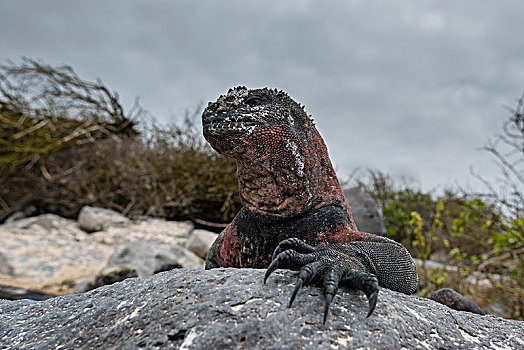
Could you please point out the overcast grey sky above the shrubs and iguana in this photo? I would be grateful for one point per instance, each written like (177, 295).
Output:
(412, 88)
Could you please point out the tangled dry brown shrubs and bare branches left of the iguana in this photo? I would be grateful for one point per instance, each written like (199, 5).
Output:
(66, 142)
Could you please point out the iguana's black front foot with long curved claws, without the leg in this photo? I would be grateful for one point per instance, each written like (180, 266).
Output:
(328, 264)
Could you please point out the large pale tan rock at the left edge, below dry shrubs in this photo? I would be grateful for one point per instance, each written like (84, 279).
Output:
(48, 253)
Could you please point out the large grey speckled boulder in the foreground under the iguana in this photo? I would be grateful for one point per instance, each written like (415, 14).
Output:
(232, 308)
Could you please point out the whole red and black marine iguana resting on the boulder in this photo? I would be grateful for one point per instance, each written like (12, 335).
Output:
(294, 213)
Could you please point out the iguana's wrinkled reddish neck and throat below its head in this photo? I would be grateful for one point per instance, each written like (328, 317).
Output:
(289, 178)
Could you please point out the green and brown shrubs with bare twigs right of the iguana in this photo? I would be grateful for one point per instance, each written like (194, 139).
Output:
(477, 237)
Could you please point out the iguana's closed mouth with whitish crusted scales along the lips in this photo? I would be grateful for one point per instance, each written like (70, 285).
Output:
(223, 123)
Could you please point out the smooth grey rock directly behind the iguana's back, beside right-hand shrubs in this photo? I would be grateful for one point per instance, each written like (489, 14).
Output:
(365, 211)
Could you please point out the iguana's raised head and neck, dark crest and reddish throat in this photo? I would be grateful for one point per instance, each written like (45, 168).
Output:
(282, 162)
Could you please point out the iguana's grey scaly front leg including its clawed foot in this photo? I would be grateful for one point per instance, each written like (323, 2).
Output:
(362, 265)
